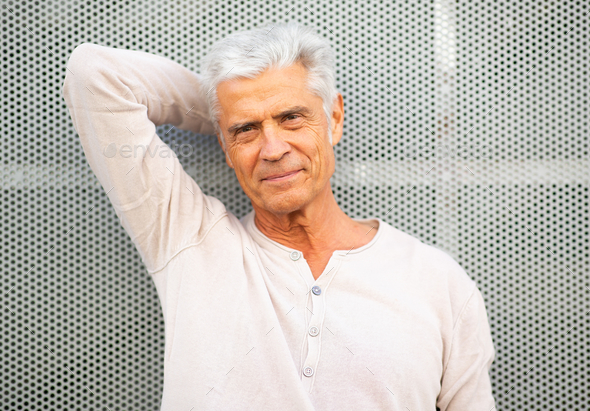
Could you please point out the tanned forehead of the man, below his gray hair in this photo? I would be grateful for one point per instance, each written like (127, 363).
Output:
(273, 90)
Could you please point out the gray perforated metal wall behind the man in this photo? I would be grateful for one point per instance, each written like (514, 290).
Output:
(466, 125)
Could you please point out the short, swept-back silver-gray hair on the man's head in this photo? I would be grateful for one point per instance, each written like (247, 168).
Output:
(246, 54)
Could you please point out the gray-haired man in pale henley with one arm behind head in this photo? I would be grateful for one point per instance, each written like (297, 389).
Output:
(296, 306)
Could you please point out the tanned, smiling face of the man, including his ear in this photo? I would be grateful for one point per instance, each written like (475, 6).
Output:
(277, 138)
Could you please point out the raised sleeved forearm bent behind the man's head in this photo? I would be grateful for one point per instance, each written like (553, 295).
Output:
(102, 79)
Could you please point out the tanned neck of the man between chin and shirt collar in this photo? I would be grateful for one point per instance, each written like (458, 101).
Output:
(319, 227)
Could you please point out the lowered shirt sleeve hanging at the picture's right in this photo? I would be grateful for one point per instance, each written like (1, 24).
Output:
(466, 382)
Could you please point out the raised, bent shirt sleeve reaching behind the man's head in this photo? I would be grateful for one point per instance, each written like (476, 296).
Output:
(116, 98)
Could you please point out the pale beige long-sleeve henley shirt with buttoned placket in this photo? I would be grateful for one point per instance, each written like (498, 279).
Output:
(393, 325)
